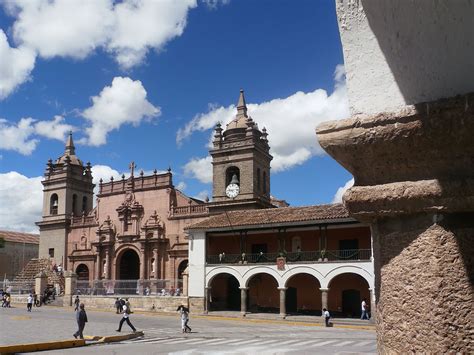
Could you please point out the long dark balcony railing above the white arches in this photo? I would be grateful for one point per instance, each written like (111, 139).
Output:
(293, 257)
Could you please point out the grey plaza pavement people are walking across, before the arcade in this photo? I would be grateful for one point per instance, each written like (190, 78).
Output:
(210, 335)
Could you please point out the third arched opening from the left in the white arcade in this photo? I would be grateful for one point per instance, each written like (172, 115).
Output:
(303, 295)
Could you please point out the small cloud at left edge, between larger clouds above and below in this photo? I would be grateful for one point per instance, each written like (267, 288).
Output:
(18, 137)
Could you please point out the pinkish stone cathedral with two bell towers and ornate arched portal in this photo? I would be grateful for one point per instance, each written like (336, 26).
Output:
(136, 230)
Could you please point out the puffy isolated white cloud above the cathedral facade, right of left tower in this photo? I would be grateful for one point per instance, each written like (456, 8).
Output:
(121, 103)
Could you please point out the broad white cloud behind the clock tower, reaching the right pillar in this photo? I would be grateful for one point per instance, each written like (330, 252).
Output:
(290, 122)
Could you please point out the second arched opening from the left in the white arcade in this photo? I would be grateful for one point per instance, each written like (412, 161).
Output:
(263, 294)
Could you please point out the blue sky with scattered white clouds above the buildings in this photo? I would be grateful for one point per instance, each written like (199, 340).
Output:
(146, 81)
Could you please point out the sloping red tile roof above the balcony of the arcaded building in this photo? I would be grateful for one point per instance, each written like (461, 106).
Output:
(269, 216)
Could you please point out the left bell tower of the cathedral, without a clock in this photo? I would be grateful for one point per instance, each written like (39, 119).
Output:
(67, 192)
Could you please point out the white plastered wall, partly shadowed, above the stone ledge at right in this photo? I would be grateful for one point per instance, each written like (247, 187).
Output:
(399, 52)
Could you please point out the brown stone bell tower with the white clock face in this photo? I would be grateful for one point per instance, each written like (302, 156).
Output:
(241, 164)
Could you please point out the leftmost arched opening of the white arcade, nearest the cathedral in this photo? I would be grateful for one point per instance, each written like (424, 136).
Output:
(225, 293)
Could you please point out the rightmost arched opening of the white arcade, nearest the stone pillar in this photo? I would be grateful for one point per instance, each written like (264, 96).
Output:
(346, 292)
